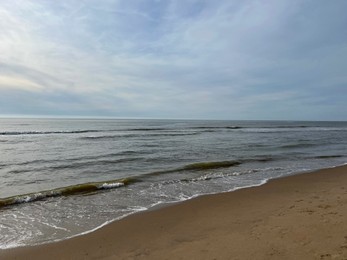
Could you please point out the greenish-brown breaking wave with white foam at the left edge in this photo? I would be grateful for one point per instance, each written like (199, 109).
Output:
(77, 189)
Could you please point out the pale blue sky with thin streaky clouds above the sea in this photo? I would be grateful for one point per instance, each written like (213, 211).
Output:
(196, 59)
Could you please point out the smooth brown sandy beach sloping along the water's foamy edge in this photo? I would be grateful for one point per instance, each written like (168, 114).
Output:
(297, 217)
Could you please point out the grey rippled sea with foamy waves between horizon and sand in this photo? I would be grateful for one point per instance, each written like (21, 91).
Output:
(60, 178)
